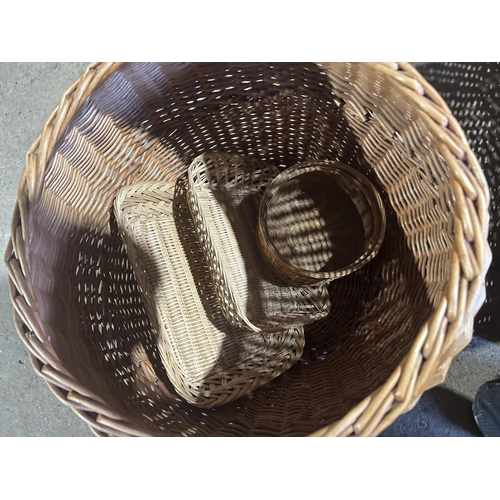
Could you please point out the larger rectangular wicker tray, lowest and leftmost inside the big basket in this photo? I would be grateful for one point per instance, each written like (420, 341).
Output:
(208, 361)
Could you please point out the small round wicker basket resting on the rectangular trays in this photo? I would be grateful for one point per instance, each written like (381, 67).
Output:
(319, 221)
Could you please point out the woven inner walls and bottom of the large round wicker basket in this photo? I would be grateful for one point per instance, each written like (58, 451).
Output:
(147, 122)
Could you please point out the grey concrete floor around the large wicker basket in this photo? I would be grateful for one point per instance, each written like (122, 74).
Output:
(28, 93)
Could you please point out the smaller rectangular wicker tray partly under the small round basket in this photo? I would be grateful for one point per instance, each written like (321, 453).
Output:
(224, 192)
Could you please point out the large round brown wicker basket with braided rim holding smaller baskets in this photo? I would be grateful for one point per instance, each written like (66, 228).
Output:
(395, 324)
